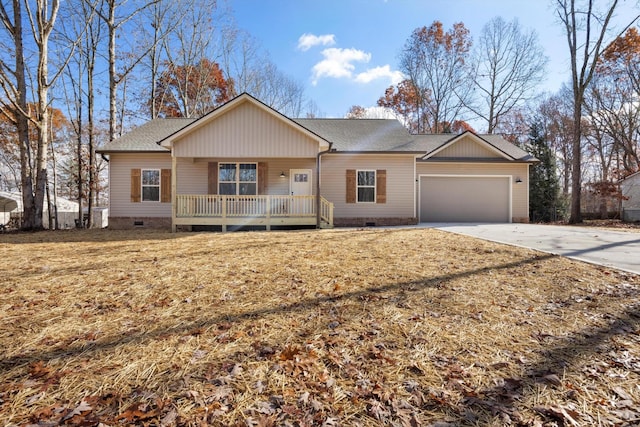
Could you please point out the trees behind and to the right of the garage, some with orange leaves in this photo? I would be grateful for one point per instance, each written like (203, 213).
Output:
(592, 125)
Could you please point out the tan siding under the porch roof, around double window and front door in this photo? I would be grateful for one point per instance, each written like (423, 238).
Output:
(193, 176)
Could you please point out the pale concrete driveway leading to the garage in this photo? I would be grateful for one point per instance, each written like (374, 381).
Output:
(616, 249)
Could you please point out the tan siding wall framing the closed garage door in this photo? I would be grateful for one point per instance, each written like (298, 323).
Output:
(520, 194)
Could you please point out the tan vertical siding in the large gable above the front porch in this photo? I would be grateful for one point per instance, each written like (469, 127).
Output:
(246, 129)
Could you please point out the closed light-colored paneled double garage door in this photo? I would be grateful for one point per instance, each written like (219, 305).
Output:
(465, 199)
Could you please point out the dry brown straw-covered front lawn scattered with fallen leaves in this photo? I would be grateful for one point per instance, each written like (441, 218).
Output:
(341, 327)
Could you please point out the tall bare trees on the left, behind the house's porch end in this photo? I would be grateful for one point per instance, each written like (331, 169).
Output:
(78, 73)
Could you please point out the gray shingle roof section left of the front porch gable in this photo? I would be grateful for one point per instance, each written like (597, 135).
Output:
(147, 136)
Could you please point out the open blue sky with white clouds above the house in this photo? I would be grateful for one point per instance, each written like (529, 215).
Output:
(346, 51)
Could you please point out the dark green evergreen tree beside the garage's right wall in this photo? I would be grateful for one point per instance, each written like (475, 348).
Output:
(545, 201)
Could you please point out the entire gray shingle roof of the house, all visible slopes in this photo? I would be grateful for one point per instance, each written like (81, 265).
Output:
(363, 135)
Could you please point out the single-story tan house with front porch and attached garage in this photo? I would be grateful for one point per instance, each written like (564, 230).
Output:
(246, 164)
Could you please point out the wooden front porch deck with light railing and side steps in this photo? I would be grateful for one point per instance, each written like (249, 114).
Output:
(267, 210)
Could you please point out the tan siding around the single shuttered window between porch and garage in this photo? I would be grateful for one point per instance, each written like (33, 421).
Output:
(400, 184)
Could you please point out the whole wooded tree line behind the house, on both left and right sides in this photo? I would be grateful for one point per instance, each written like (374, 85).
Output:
(60, 61)
